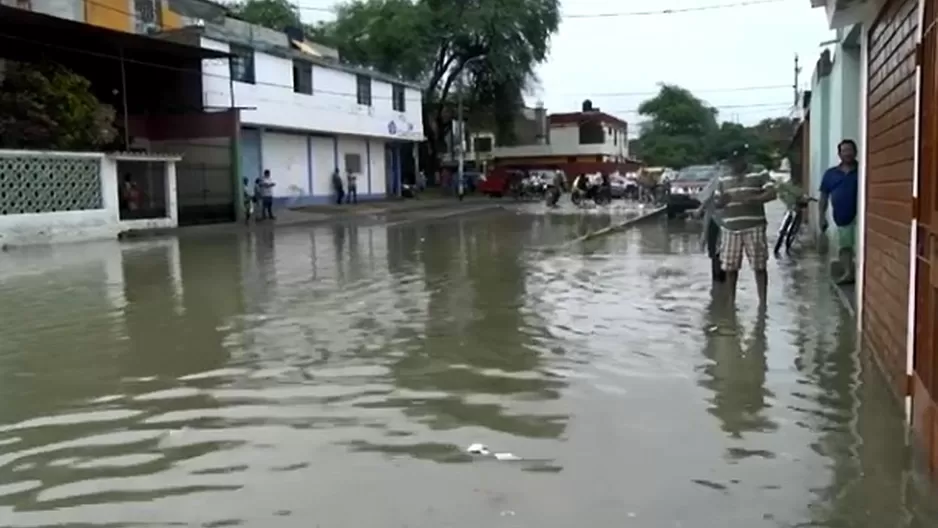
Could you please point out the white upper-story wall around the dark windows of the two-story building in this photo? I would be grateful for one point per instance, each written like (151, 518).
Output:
(332, 108)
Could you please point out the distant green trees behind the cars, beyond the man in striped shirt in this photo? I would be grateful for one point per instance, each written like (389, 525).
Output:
(681, 130)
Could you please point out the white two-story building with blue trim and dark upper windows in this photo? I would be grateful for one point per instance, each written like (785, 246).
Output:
(305, 115)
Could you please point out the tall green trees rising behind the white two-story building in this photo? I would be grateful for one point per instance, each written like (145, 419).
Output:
(491, 45)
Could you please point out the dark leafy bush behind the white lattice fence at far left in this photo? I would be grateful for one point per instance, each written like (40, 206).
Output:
(49, 107)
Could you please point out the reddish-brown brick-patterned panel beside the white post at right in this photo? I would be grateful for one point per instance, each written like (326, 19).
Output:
(888, 215)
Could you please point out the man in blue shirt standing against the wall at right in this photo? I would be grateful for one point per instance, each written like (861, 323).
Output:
(840, 189)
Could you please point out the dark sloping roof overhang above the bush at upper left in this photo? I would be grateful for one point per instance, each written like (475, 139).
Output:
(19, 27)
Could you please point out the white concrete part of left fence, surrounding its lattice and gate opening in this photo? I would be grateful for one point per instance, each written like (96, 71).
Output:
(81, 225)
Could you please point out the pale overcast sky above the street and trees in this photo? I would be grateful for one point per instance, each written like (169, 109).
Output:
(738, 57)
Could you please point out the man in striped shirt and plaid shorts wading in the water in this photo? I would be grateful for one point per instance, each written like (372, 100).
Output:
(742, 197)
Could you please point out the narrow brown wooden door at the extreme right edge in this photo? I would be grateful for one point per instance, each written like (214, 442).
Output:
(925, 378)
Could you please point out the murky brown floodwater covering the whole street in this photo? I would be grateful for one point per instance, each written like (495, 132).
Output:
(334, 377)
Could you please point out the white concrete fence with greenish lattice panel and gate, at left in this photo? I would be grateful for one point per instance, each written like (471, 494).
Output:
(48, 197)
